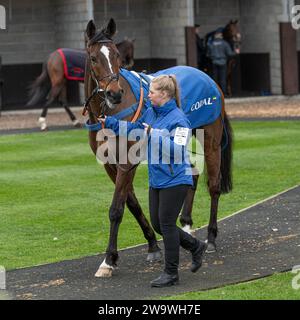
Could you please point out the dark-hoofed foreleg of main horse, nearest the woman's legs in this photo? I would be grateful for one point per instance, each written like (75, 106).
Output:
(135, 208)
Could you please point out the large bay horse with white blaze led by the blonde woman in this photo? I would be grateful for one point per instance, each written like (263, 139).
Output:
(108, 92)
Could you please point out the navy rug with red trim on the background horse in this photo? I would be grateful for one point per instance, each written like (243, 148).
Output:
(74, 63)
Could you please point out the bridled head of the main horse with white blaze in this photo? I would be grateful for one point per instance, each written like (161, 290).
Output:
(105, 62)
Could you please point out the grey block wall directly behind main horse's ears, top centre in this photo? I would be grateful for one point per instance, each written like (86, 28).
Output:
(157, 26)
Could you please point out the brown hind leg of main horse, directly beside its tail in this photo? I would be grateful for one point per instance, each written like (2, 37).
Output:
(212, 147)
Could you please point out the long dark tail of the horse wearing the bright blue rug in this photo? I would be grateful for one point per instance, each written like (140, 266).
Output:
(226, 156)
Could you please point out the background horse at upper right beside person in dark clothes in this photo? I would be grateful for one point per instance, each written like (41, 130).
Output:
(231, 34)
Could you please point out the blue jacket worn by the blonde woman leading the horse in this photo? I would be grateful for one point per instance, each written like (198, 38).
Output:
(162, 174)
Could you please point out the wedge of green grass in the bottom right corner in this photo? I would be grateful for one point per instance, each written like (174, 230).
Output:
(275, 287)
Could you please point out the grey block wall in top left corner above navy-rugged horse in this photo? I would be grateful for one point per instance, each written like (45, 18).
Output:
(30, 32)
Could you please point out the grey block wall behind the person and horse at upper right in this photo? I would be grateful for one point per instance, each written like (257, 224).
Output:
(259, 24)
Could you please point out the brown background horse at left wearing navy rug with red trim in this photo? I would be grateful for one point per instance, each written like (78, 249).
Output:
(52, 82)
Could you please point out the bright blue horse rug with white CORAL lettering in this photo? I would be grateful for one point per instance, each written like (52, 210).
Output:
(200, 97)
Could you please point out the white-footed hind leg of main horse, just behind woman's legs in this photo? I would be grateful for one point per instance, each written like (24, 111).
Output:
(186, 214)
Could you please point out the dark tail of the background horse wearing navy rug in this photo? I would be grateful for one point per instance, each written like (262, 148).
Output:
(39, 89)
